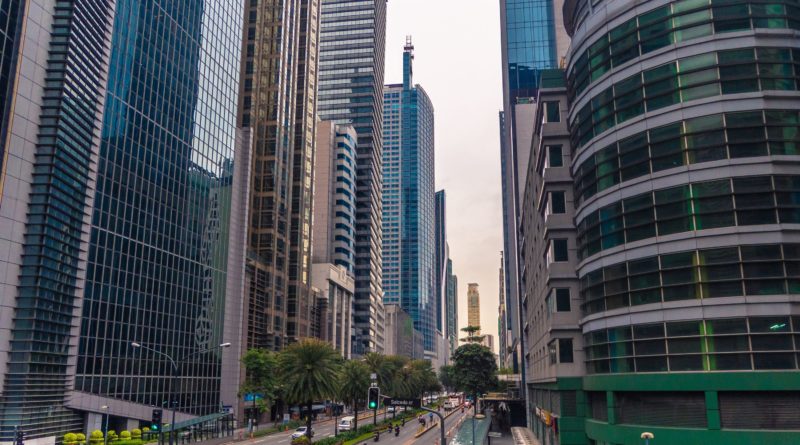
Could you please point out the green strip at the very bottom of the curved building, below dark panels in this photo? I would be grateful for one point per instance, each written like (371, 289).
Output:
(631, 435)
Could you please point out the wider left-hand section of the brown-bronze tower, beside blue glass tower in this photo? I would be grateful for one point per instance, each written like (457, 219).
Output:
(267, 106)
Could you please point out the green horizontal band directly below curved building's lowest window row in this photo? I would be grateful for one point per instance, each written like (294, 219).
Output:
(696, 381)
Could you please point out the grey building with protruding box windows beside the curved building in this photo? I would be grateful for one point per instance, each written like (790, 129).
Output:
(553, 355)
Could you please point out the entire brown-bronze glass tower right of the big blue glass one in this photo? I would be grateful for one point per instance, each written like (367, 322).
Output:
(278, 96)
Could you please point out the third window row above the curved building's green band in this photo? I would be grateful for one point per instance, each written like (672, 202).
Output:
(742, 201)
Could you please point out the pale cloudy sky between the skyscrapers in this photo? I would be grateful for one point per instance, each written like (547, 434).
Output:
(457, 62)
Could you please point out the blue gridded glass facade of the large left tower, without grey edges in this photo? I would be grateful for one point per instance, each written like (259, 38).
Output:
(159, 239)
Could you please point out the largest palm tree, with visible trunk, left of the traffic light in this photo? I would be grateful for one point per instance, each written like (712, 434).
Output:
(310, 371)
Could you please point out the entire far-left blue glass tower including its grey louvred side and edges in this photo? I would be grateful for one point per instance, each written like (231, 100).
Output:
(126, 190)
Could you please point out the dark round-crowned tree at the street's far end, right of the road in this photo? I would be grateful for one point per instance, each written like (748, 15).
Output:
(475, 369)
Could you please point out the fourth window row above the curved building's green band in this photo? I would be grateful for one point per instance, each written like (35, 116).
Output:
(702, 139)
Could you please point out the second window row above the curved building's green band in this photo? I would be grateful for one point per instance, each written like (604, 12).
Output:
(768, 269)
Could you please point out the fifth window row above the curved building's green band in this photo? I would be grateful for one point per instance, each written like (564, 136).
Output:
(690, 78)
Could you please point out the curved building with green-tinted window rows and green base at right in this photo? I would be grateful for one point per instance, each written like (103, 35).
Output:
(684, 122)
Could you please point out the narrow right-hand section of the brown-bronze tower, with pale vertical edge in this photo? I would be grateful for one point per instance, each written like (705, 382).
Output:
(300, 301)
